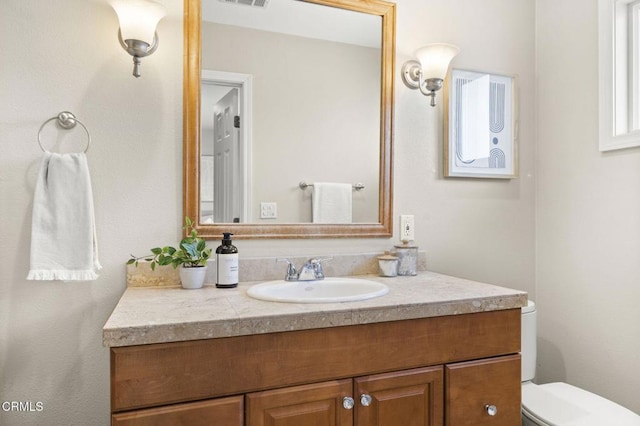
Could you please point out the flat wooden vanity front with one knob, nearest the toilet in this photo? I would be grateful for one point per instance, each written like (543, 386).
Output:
(483, 392)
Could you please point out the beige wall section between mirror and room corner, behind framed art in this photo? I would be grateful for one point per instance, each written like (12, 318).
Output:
(475, 228)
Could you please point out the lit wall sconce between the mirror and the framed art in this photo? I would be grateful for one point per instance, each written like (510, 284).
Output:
(429, 71)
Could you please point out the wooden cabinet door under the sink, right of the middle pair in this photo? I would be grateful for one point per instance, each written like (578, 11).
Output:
(407, 398)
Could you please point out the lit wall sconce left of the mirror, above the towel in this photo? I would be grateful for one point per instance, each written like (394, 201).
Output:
(138, 22)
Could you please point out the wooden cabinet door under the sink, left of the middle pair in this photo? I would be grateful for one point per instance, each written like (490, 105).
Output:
(318, 404)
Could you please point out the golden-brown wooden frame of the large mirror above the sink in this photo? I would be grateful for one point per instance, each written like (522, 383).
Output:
(191, 140)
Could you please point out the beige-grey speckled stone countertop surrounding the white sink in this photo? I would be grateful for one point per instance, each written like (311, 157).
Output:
(161, 315)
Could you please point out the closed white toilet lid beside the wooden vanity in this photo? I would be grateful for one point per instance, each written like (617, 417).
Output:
(561, 404)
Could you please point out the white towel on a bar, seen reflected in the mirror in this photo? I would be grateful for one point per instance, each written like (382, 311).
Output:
(331, 202)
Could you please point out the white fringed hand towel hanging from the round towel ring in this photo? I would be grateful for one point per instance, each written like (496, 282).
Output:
(63, 237)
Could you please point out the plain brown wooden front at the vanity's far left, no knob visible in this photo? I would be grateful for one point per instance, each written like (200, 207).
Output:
(221, 411)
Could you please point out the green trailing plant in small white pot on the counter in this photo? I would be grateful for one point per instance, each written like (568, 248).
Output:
(191, 255)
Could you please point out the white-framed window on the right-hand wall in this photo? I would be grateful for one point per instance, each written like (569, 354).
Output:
(619, 74)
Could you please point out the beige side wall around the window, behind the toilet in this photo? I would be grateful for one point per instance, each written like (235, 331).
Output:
(588, 218)
